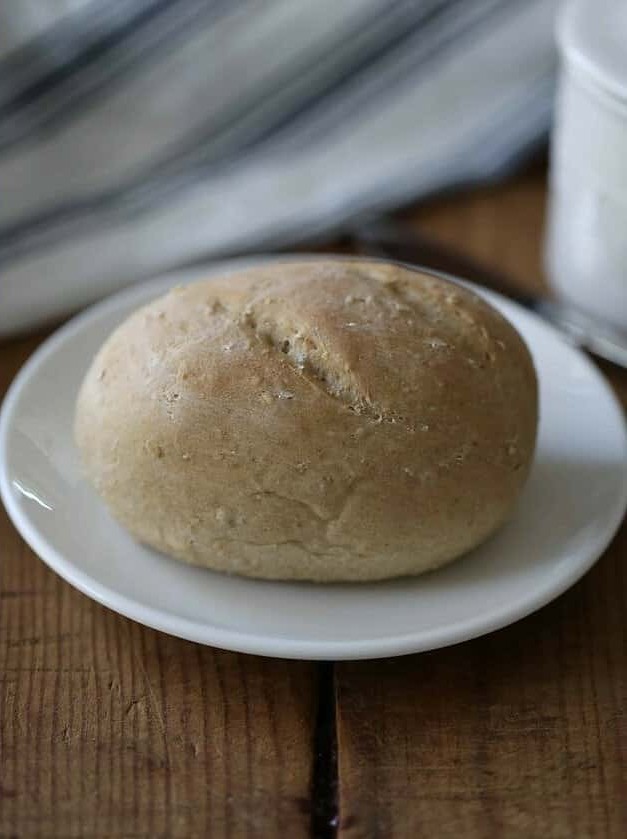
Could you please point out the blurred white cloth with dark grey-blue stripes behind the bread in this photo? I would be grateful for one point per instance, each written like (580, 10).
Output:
(140, 135)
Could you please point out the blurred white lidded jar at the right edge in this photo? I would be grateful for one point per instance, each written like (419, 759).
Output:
(586, 242)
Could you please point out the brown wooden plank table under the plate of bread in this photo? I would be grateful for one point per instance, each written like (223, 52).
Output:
(109, 729)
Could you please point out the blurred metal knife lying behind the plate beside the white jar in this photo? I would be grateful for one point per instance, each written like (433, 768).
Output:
(395, 240)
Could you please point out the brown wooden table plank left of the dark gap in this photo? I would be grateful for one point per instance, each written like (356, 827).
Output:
(110, 729)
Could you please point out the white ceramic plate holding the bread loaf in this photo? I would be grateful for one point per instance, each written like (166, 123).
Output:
(571, 507)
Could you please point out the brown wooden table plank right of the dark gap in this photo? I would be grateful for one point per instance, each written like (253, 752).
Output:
(522, 733)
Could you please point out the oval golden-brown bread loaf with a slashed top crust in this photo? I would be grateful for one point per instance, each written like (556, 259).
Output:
(323, 420)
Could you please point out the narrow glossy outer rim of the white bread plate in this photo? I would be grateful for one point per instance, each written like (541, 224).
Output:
(238, 641)
